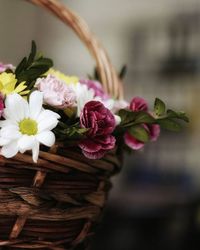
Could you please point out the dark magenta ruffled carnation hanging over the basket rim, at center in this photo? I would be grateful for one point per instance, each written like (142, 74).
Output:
(100, 123)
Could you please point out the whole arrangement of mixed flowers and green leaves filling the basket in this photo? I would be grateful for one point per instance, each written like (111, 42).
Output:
(39, 105)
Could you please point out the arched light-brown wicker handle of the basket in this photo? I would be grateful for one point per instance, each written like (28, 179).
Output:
(108, 75)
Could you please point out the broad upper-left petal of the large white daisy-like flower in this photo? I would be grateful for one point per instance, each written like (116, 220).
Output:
(16, 107)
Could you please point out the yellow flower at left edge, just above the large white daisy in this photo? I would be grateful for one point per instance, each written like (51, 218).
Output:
(8, 83)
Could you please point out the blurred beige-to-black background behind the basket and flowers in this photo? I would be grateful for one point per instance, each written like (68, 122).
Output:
(155, 201)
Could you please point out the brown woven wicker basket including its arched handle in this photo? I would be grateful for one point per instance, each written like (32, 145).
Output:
(56, 203)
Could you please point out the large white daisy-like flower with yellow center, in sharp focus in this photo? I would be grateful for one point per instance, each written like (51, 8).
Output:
(26, 125)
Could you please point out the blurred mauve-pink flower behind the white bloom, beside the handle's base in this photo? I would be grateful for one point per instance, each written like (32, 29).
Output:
(97, 87)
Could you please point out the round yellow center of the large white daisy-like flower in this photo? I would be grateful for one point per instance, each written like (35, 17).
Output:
(28, 127)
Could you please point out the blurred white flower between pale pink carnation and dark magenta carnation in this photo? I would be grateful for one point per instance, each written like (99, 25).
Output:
(83, 95)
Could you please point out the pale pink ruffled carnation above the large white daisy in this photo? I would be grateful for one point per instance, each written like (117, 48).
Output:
(56, 92)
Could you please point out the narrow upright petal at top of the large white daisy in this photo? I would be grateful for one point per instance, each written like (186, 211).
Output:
(35, 104)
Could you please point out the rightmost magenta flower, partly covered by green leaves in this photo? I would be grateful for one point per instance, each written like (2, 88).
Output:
(139, 104)
